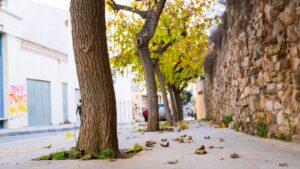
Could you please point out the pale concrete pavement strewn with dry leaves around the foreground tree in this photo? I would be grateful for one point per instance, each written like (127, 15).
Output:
(255, 152)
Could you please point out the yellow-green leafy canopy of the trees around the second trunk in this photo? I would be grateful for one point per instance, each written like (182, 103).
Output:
(179, 43)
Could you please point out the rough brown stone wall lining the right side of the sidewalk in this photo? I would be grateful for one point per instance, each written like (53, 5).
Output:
(256, 72)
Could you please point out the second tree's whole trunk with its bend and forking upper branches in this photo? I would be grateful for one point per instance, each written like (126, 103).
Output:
(143, 37)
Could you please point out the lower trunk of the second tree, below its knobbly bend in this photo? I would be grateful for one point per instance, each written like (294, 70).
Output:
(152, 101)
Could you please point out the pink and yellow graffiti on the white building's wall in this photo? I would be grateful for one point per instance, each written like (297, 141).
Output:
(17, 101)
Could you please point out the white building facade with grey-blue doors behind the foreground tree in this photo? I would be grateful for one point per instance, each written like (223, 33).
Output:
(37, 69)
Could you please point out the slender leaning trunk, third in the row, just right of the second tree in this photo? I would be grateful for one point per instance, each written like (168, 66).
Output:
(164, 93)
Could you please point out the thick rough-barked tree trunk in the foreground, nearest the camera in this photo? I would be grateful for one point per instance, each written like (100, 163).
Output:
(99, 124)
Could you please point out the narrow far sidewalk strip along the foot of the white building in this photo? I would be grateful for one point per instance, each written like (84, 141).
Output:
(40, 129)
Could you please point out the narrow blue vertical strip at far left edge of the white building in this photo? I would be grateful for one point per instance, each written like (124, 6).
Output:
(1, 83)
